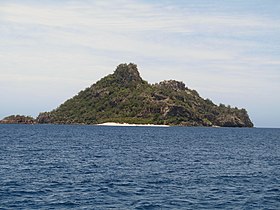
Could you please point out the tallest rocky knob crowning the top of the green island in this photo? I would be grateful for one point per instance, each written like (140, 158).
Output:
(127, 73)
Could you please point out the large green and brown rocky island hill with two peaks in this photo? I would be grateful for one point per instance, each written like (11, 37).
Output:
(124, 97)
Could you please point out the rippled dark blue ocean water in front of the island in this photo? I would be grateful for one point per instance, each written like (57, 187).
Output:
(99, 167)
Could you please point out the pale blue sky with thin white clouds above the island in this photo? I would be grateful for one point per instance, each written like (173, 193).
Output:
(229, 51)
